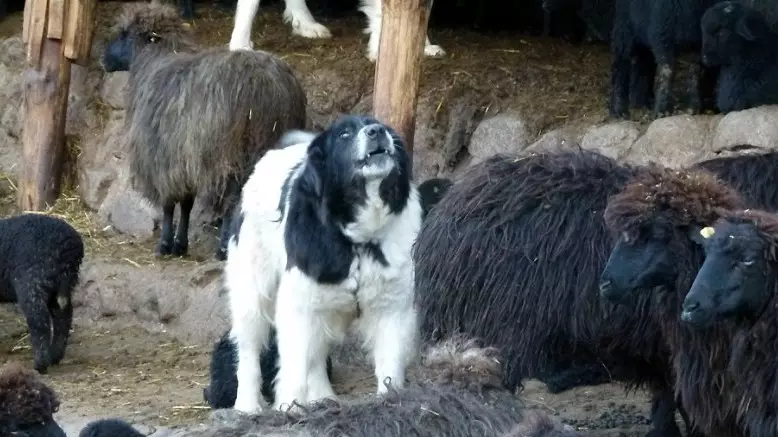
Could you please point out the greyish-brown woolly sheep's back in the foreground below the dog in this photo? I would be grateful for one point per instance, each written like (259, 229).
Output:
(458, 394)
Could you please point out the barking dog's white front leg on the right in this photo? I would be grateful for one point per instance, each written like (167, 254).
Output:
(394, 343)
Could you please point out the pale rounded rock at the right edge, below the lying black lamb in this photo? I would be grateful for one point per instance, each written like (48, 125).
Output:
(756, 127)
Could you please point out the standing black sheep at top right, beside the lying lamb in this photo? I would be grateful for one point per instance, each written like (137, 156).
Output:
(665, 28)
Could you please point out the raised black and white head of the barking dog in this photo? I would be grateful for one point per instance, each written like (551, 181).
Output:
(356, 150)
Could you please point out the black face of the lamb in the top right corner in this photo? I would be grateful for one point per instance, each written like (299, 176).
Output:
(729, 29)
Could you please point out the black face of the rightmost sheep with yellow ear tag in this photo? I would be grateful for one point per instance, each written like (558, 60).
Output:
(733, 280)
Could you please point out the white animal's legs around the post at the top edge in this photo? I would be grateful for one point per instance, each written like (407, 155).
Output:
(303, 24)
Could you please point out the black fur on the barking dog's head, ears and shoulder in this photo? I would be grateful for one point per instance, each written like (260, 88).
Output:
(326, 197)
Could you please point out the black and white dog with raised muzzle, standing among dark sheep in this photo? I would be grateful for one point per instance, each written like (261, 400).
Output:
(327, 222)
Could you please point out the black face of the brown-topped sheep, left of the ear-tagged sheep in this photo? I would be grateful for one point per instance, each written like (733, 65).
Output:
(642, 259)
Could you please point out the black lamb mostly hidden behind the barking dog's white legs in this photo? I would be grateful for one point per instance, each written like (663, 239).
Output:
(223, 388)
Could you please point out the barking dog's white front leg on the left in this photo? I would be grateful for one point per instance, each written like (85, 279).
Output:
(296, 337)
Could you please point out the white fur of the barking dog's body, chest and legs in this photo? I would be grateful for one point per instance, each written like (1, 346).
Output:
(311, 317)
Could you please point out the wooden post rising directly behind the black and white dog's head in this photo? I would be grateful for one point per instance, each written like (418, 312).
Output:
(398, 67)
